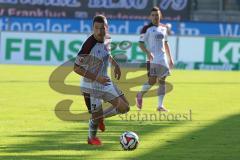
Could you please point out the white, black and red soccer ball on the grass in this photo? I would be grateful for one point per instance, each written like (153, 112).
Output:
(129, 140)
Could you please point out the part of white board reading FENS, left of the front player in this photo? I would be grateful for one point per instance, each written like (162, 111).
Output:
(39, 48)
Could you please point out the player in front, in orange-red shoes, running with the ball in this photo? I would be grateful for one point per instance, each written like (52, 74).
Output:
(92, 63)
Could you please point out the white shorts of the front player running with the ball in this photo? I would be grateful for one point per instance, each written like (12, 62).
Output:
(94, 96)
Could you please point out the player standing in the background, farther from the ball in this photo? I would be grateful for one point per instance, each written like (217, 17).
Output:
(153, 41)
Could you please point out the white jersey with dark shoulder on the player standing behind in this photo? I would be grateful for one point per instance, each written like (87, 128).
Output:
(154, 38)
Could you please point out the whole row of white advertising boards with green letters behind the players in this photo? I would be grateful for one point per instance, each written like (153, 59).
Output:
(56, 48)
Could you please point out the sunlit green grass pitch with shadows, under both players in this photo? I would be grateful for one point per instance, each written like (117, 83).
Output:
(30, 130)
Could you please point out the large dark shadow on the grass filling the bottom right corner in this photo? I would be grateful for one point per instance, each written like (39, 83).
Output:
(219, 141)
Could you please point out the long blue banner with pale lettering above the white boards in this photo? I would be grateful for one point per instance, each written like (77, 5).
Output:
(116, 26)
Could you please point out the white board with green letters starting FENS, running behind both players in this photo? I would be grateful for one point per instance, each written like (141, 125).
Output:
(57, 48)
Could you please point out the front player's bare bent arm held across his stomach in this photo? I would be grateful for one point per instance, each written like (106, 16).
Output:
(87, 74)
